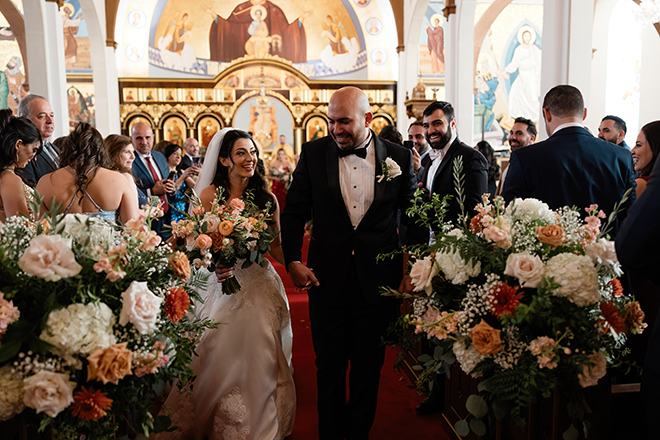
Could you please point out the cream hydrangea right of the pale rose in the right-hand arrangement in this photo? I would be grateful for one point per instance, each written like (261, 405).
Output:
(577, 278)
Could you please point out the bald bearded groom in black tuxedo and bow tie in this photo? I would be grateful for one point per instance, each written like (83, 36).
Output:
(338, 185)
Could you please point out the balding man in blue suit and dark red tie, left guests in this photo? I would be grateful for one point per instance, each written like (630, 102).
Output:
(150, 170)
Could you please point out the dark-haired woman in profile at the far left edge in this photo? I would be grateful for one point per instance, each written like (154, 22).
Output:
(19, 142)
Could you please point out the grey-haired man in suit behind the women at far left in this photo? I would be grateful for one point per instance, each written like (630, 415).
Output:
(38, 110)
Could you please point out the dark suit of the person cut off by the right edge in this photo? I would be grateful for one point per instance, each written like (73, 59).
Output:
(637, 244)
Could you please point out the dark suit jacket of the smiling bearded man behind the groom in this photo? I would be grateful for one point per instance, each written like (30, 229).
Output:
(475, 168)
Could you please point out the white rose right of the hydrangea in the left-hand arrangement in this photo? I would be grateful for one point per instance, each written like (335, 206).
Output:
(140, 307)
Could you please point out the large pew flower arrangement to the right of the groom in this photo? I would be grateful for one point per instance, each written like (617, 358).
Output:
(523, 297)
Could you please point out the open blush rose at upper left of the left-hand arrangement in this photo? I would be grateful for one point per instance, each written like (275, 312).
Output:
(49, 257)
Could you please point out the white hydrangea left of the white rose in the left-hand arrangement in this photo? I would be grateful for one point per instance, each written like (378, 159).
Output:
(80, 328)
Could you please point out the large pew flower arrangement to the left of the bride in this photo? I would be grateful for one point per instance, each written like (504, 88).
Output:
(94, 320)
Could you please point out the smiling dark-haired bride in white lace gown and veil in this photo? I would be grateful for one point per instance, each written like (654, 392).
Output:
(244, 385)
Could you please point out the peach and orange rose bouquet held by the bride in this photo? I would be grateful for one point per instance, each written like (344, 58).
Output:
(231, 230)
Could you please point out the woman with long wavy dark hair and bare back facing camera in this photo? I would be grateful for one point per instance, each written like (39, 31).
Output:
(83, 185)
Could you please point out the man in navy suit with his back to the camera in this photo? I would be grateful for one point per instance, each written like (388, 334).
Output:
(571, 167)
